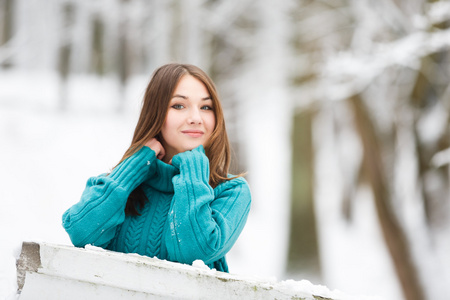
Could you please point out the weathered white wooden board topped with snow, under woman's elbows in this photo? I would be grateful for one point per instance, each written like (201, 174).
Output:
(47, 271)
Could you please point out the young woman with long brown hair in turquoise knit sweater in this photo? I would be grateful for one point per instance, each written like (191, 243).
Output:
(171, 195)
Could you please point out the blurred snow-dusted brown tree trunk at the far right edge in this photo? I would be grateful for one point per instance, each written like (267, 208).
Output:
(427, 95)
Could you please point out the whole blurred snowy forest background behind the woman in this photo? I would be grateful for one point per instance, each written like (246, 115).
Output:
(337, 109)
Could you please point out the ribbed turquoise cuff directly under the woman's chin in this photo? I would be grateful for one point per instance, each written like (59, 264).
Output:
(193, 163)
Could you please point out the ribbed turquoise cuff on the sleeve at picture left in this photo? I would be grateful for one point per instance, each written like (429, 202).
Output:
(135, 169)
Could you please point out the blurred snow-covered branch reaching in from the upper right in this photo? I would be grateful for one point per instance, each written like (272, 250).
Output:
(349, 73)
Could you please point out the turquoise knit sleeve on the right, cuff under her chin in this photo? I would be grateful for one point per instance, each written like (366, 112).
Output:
(204, 223)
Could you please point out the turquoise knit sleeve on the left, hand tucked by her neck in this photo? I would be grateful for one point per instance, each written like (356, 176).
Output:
(95, 218)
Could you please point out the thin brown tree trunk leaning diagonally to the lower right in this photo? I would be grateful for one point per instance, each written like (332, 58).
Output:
(394, 236)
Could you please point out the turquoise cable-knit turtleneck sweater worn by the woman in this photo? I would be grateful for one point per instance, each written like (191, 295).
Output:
(184, 220)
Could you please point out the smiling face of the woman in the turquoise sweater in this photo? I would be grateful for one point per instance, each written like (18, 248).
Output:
(190, 118)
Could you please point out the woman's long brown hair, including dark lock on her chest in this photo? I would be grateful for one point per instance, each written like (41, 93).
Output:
(153, 114)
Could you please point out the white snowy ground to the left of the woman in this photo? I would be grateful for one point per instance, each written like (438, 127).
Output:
(46, 158)
